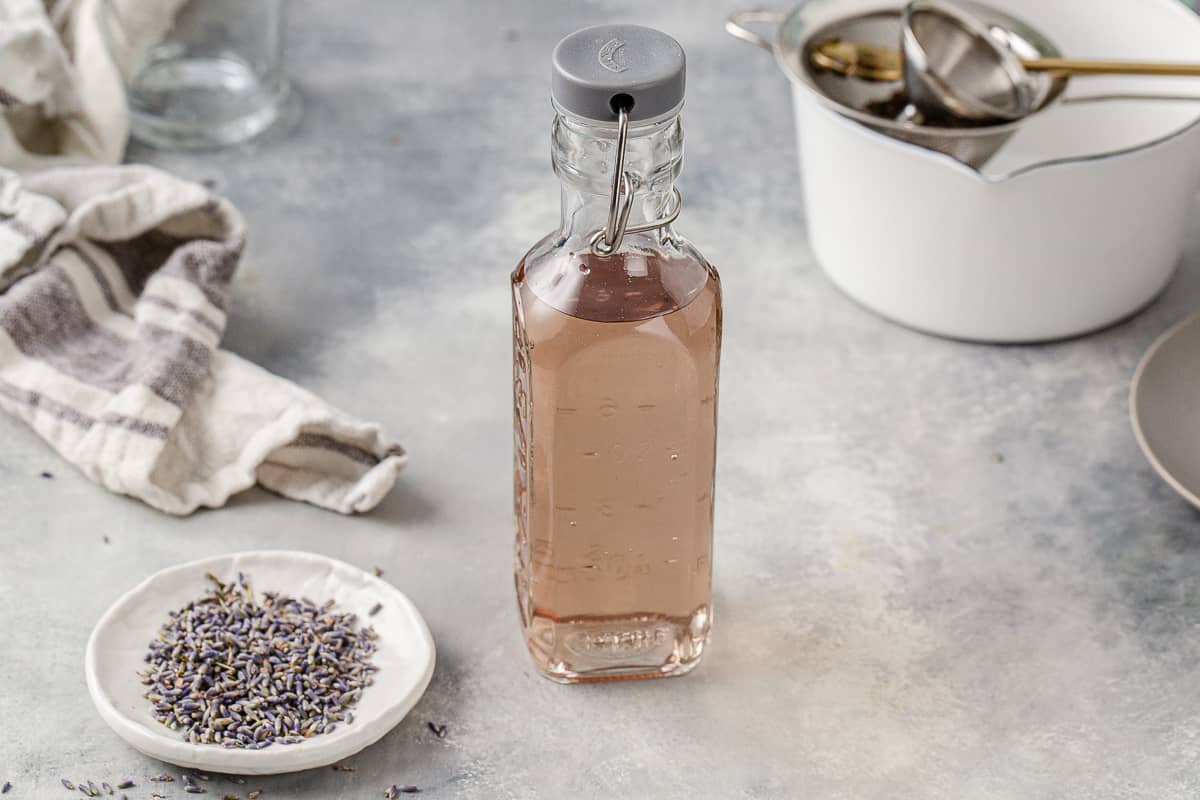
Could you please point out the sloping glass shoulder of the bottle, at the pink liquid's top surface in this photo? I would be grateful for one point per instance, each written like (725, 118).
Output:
(650, 276)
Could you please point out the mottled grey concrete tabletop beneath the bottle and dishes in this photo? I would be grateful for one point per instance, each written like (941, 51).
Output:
(943, 570)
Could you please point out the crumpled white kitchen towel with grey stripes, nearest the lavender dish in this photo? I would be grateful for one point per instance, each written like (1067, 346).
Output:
(115, 284)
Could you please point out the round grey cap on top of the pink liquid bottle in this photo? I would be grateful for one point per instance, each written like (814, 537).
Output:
(595, 65)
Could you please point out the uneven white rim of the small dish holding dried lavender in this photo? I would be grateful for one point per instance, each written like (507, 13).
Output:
(401, 629)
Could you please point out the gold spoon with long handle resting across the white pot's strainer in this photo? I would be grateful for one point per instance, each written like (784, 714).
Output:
(881, 63)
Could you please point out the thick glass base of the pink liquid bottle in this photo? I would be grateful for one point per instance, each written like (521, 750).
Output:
(590, 649)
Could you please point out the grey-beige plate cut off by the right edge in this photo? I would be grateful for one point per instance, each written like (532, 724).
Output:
(1165, 407)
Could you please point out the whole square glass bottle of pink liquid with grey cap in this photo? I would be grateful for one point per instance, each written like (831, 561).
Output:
(616, 350)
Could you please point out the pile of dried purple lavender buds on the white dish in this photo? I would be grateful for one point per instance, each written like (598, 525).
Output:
(233, 671)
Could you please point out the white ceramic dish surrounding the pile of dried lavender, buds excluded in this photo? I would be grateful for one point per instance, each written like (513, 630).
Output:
(119, 641)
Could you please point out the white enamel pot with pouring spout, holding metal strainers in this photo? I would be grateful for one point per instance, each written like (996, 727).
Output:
(1077, 222)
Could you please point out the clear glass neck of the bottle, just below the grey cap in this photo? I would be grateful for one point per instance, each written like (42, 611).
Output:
(584, 154)
